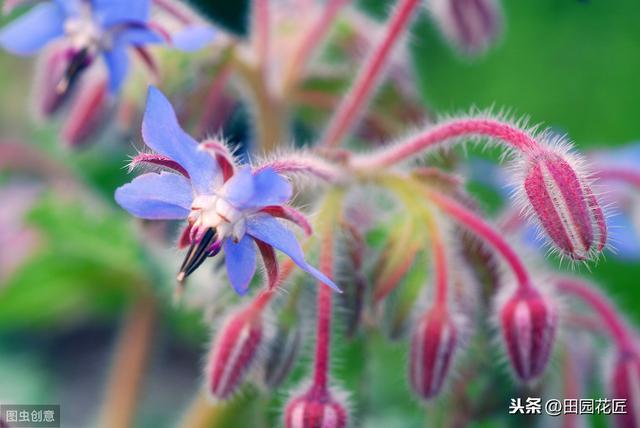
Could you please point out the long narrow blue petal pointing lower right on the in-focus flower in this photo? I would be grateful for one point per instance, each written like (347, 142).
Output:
(269, 230)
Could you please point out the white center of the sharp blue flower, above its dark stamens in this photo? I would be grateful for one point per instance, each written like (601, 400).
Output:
(213, 211)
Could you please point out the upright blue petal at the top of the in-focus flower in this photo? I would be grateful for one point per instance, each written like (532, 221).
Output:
(162, 133)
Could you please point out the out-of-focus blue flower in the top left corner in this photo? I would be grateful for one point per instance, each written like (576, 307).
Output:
(91, 28)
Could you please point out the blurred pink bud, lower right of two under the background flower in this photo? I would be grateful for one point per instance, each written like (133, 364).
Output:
(88, 110)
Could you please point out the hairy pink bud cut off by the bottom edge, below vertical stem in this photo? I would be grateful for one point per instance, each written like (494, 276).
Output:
(317, 408)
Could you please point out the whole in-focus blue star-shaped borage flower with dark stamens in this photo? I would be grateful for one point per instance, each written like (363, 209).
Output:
(229, 208)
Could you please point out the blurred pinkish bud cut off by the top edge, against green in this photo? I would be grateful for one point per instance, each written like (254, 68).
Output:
(470, 25)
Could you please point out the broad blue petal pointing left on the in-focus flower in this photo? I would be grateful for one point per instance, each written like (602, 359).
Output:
(164, 196)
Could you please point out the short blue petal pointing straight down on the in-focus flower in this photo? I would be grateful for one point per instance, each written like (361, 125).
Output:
(240, 259)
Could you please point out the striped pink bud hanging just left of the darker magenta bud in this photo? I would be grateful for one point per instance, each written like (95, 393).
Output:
(433, 345)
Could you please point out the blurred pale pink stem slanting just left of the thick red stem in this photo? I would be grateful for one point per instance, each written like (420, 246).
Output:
(311, 42)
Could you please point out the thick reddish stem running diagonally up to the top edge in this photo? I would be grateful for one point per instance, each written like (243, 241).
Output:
(370, 74)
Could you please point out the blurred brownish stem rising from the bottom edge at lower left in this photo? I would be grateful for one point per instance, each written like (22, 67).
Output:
(125, 380)
